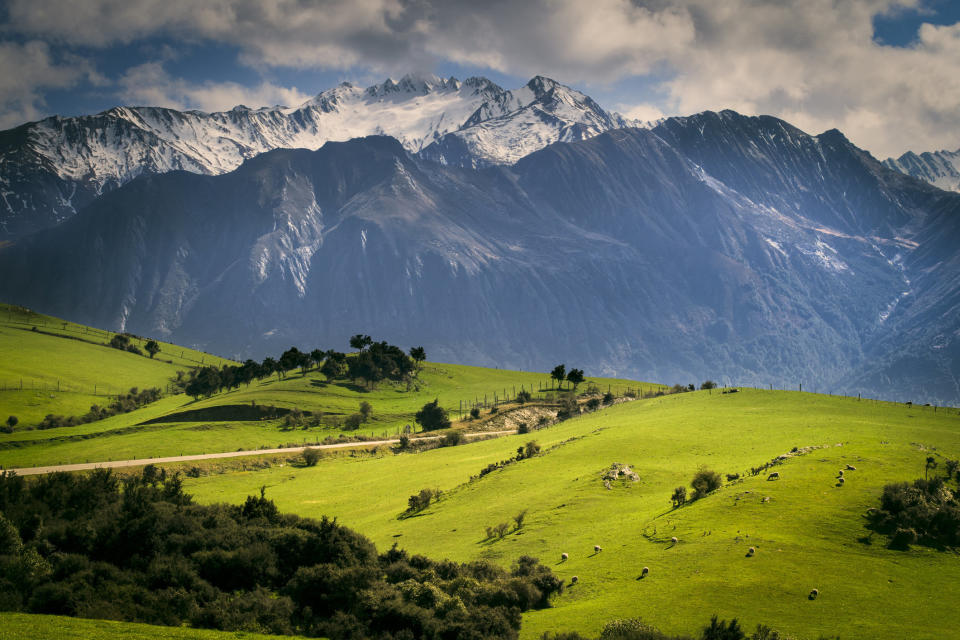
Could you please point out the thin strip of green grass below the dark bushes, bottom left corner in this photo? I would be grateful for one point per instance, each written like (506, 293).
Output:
(19, 626)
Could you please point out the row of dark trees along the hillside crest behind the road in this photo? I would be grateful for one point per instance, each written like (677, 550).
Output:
(372, 363)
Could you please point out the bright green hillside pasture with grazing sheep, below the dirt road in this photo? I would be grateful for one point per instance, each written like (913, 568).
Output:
(809, 534)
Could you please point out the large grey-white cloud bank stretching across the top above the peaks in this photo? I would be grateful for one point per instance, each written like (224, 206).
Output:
(813, 62)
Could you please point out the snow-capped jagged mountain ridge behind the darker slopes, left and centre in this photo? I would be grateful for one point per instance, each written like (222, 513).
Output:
(52, 168)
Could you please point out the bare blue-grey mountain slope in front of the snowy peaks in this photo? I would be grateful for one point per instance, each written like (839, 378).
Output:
(713, 246)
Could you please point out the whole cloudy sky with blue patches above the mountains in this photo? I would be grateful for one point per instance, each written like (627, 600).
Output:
(885, 72)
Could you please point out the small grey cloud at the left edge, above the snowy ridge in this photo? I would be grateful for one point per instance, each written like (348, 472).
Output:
(28, 70)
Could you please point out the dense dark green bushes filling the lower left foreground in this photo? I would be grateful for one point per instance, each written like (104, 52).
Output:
(138, 549)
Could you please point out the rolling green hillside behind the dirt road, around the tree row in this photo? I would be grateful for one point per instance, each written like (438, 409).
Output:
(249, 417)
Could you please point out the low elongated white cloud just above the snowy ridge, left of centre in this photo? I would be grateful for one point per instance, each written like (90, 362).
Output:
(150, 84)
